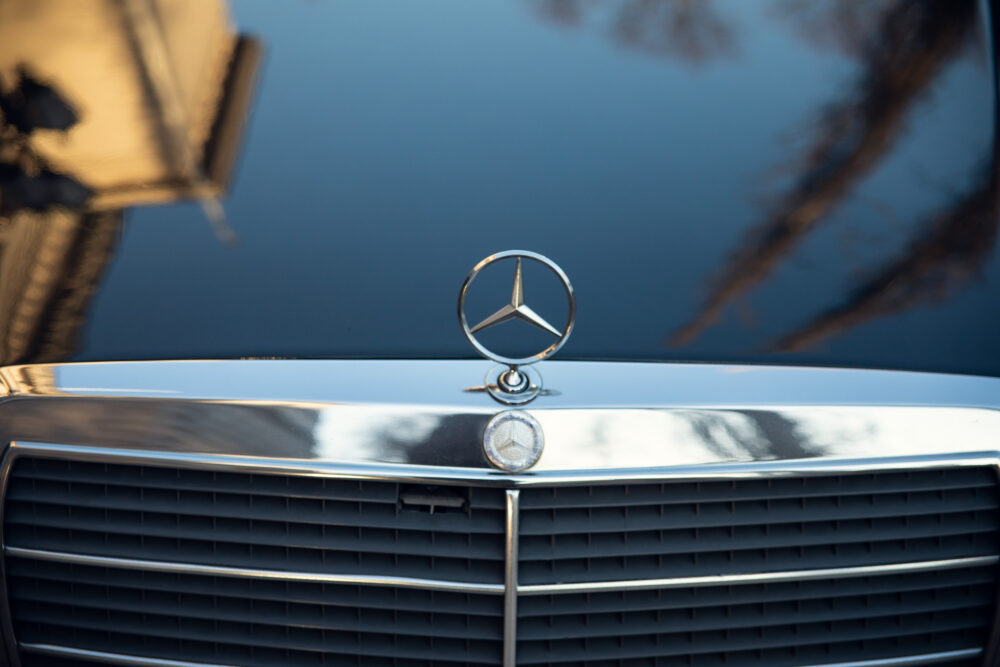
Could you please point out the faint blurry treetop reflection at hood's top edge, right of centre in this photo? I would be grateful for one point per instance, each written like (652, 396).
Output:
(690, 30)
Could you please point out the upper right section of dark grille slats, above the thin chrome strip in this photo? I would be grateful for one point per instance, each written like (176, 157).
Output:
(650, 531)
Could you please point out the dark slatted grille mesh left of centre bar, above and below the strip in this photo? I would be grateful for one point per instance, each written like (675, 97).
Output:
(254, 521)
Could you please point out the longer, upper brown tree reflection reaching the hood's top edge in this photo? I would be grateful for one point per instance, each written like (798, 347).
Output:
(914, 41)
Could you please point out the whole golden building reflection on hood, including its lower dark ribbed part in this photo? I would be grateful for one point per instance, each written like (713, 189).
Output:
(157, 93)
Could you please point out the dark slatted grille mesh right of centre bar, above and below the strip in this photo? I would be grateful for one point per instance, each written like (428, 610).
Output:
(749, 526)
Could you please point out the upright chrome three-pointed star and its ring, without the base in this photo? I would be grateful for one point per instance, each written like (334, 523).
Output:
(516, 309)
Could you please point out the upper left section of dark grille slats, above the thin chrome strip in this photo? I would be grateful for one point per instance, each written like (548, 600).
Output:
(254, 521)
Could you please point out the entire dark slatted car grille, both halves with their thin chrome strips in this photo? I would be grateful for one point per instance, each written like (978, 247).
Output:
(214, 567)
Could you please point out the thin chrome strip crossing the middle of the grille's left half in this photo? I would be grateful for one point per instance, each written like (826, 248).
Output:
(280, 575)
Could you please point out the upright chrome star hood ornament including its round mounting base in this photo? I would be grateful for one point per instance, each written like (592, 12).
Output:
(516, 384)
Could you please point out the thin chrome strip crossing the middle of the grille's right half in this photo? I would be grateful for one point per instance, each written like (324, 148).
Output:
(758, 577)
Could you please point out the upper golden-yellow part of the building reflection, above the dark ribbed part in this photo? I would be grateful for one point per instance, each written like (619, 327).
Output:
(160, 86)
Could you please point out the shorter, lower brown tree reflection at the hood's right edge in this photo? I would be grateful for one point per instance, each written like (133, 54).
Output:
(953, 247)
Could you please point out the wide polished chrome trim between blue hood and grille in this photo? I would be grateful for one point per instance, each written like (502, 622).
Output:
(625, 421)
